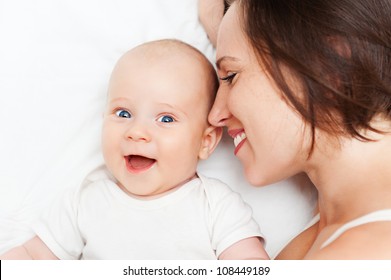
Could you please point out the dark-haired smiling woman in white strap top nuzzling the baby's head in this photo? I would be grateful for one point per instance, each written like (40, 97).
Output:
(306, 87)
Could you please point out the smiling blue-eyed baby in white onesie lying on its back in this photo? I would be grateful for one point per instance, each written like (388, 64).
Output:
(149, 202)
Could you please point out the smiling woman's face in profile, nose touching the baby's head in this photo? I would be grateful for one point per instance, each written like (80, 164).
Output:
(268, 134)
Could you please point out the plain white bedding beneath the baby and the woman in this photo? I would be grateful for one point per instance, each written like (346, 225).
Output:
(55, 61)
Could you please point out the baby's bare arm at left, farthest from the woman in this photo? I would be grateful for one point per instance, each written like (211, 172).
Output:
(34, 249)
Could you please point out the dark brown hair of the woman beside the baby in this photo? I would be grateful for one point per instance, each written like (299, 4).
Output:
(340, 51)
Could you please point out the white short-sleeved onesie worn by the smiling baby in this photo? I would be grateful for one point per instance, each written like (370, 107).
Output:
(99, 221)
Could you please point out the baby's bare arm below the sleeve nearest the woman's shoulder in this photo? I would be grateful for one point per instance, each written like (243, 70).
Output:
(247, 249)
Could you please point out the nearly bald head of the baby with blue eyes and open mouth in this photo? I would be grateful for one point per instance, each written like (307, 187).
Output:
(155, 125)
